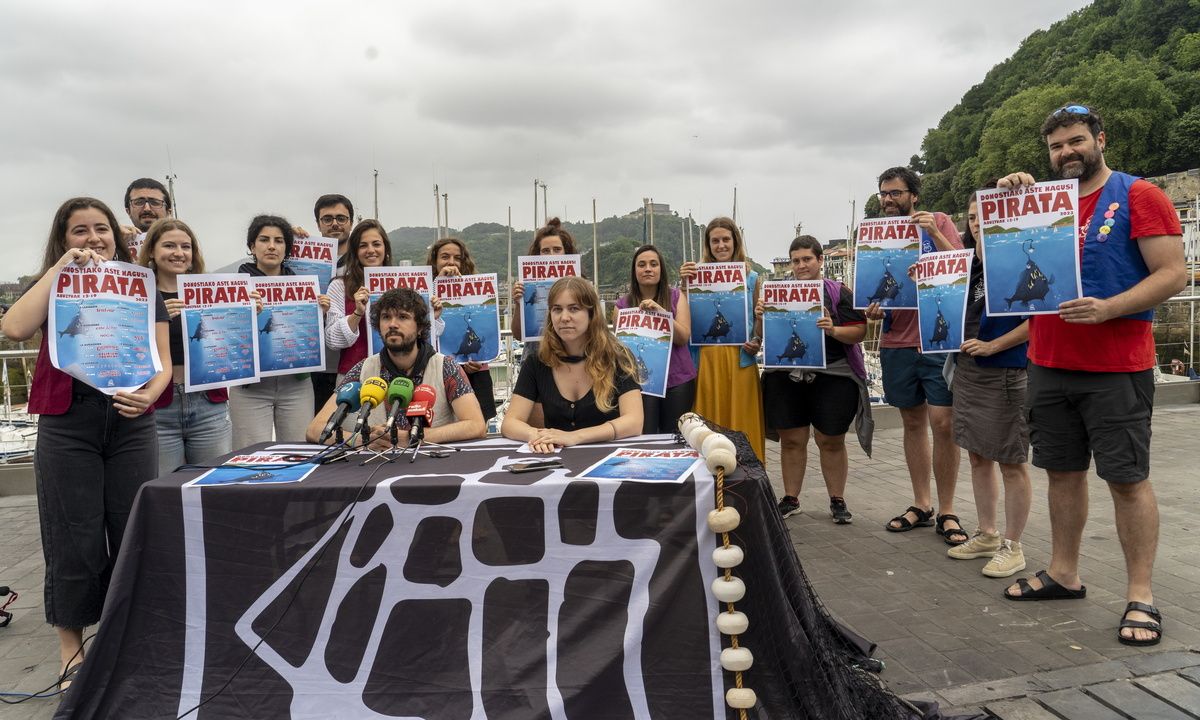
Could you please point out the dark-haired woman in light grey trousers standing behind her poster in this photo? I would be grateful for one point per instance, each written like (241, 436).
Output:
(278, 407)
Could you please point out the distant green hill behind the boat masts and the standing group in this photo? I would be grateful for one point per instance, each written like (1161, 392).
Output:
(617, 237)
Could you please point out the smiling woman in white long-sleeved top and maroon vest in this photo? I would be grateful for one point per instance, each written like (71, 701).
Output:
(345, 331)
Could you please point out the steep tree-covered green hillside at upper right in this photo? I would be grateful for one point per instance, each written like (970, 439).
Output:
(1136, 62)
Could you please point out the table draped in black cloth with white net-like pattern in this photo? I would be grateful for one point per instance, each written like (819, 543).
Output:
(451, 589)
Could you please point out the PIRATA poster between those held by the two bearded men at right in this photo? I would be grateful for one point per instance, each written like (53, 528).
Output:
(943, 280)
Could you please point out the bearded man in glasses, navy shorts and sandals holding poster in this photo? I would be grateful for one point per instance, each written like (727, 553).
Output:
(913, 382)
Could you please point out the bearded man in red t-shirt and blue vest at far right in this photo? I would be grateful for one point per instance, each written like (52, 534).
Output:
(1091, 368)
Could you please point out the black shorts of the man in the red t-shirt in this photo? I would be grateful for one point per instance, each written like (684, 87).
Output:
(1075, 416)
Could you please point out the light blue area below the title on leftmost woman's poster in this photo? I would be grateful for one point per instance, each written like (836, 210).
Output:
(104, 343)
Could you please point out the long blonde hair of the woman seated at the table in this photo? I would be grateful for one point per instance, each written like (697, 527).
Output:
(603, 352)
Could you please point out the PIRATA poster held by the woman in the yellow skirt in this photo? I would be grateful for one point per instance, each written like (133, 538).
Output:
(718, 302)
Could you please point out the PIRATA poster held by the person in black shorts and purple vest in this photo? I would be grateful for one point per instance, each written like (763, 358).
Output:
(790, 314)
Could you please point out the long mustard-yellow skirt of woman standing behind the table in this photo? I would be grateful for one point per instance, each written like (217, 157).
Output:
(730, 395)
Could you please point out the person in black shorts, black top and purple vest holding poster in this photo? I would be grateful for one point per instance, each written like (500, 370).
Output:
(825, 399)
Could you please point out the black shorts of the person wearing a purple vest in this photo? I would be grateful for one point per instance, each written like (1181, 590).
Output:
(829, 404)
